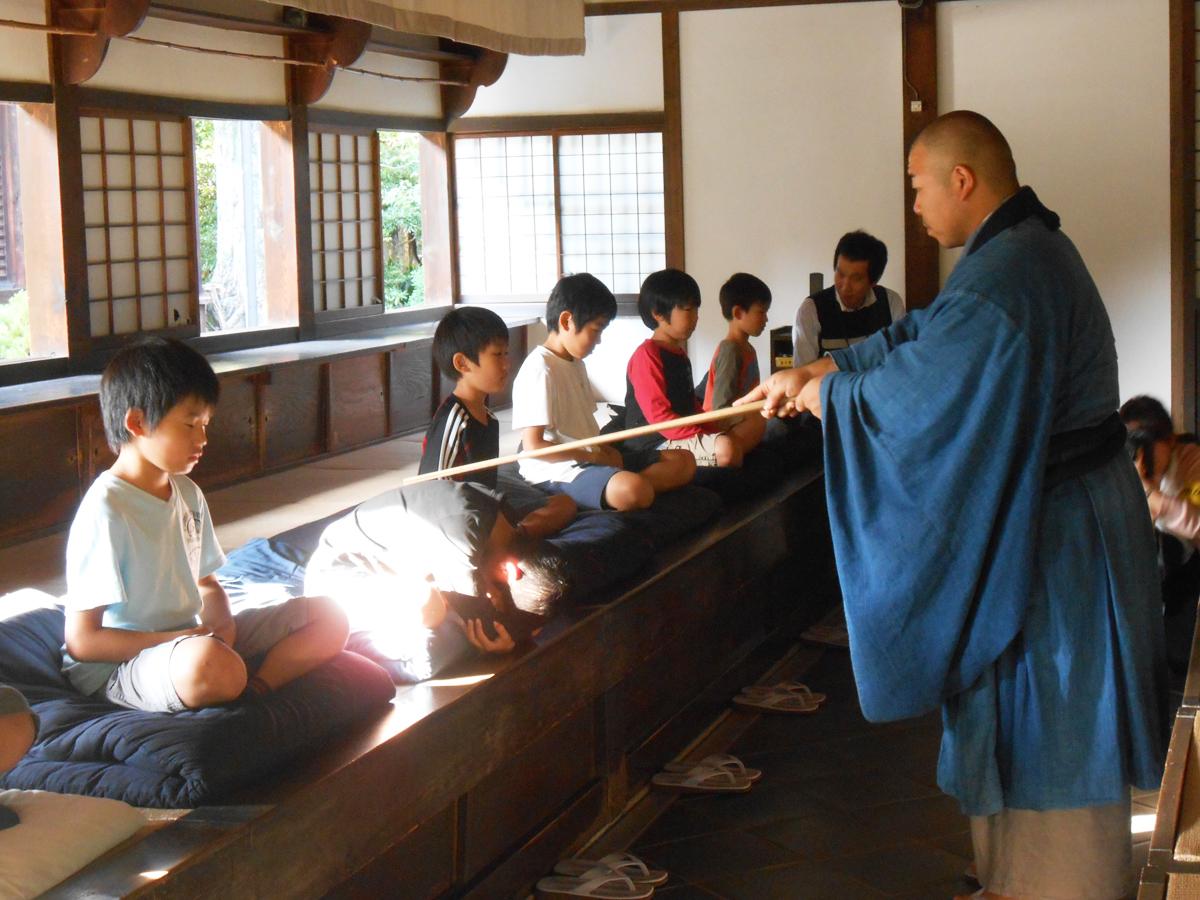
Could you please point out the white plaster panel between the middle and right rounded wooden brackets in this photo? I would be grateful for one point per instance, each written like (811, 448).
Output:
(371, 94)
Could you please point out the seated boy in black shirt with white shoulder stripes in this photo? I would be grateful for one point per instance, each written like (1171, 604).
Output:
(472, 350)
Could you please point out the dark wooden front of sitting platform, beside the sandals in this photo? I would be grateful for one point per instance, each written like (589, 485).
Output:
(475, 788)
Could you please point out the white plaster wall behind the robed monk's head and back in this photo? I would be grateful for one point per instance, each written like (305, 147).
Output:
(1081, 89)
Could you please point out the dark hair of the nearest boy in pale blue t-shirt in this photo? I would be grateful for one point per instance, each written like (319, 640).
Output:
(153, 375)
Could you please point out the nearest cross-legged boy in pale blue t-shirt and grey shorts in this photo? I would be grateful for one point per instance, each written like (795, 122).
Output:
(148, 625)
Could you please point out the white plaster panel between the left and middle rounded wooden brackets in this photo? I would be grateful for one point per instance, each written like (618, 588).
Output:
(146, 69)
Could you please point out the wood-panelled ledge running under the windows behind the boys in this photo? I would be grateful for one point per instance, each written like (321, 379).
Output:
(280, 407)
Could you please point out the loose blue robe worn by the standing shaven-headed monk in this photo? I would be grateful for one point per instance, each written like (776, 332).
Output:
(1031, 616)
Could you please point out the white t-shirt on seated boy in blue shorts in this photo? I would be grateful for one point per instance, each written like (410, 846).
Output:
(556, 394)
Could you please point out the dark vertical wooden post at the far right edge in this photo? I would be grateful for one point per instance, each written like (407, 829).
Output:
(1184, 214)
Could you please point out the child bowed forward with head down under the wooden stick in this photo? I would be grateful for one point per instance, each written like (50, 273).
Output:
(394, 561)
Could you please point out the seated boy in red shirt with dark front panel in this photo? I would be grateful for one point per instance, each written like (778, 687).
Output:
(659, 382)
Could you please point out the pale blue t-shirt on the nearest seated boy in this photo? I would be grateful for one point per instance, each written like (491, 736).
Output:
(140, 557)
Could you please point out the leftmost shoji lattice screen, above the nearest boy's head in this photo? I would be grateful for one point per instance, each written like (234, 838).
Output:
(137, 177)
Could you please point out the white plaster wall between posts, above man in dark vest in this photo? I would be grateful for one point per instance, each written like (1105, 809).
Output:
(791, 137)
